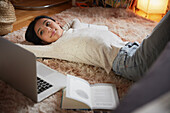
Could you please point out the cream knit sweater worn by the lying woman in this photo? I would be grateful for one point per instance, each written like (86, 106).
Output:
(84, 43)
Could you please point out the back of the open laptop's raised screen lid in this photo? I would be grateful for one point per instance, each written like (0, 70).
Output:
(18, 68)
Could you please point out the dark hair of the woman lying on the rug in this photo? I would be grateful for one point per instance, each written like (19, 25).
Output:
(30, 34)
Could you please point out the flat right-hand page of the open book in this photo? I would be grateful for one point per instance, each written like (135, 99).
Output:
(104, 96)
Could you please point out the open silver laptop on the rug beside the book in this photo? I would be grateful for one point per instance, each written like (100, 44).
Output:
(19, 68)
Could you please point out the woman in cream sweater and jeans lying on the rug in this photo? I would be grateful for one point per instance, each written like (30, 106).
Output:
(96, 45)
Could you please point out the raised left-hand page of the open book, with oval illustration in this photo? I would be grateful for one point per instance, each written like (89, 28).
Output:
(78, 89)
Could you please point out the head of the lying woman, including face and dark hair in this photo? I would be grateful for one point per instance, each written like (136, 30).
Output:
(38, 30)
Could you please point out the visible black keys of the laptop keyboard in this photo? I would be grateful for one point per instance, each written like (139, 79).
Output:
(42, 85)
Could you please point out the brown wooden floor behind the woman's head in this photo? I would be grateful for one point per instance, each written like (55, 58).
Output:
(24, 17)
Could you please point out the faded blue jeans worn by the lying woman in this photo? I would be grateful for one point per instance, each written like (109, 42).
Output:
(134, 59)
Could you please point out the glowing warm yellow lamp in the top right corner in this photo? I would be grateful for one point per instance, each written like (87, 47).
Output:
(153, 6)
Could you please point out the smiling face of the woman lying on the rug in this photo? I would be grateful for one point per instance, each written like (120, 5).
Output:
(48, 30)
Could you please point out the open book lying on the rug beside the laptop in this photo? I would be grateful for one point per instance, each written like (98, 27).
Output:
(79, 94)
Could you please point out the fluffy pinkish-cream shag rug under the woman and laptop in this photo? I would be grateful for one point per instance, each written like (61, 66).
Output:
(125, 24)
